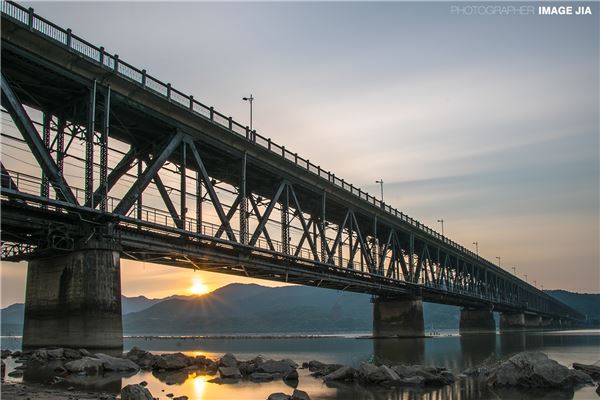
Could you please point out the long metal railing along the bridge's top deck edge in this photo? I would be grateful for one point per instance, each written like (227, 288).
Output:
(38, 24)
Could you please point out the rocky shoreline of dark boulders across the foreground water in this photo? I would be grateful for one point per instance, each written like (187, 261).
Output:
(532, 370)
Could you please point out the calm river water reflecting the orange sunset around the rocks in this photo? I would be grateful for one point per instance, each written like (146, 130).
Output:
(454, 352)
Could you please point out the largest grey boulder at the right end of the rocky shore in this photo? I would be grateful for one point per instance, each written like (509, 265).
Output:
(535, 370)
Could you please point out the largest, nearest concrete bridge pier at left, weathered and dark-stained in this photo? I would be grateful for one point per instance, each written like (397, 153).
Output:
(74, 300)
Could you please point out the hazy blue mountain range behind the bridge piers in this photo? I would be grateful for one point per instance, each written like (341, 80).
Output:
(250, 308)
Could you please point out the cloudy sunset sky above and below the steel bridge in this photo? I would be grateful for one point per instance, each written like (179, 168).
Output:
(489, 122)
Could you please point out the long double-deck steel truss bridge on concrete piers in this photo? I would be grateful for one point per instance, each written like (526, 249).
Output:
(103, 161)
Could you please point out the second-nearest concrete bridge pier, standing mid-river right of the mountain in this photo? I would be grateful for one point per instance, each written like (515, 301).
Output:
(398, 317)
